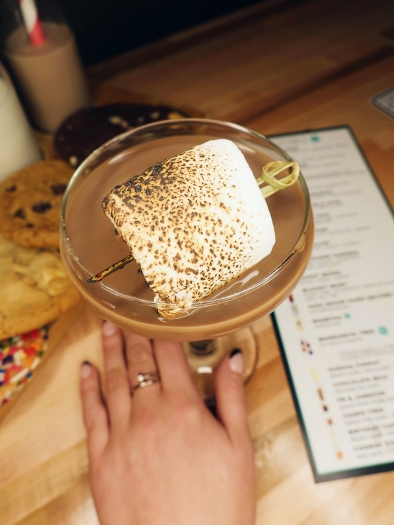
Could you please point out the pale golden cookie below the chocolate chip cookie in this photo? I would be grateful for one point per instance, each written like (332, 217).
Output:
(35, 288)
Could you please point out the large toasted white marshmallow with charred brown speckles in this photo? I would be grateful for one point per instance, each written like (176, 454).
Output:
(193, 222)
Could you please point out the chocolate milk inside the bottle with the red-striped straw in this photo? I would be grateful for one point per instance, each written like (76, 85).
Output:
(50, 77)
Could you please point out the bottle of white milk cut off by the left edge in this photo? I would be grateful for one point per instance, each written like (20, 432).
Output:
(17, 144)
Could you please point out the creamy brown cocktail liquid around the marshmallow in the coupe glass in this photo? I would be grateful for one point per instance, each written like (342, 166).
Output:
(95, 243)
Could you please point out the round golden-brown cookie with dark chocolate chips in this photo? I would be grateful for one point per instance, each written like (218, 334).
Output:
(30, 201)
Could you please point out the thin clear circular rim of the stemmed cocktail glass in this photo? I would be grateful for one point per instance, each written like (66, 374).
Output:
(204, 302)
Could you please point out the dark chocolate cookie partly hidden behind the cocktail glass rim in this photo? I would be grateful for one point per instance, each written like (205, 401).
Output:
(88, 128)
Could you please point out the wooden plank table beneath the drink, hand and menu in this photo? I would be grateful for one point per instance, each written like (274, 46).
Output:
(276, 67)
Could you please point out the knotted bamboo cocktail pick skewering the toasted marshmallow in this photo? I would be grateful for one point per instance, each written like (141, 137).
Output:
(269, 174)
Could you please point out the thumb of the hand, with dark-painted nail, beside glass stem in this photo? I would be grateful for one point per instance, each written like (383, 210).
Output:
(230, 398)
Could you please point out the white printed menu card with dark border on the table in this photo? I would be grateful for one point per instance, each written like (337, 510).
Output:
(336, 330)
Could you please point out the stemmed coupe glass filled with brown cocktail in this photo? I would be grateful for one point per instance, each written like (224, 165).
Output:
(212, 326)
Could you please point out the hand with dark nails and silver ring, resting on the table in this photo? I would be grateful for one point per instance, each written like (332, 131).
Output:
(159, 456)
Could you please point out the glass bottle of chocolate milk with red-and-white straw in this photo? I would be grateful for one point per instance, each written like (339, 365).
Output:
(41, 52)
